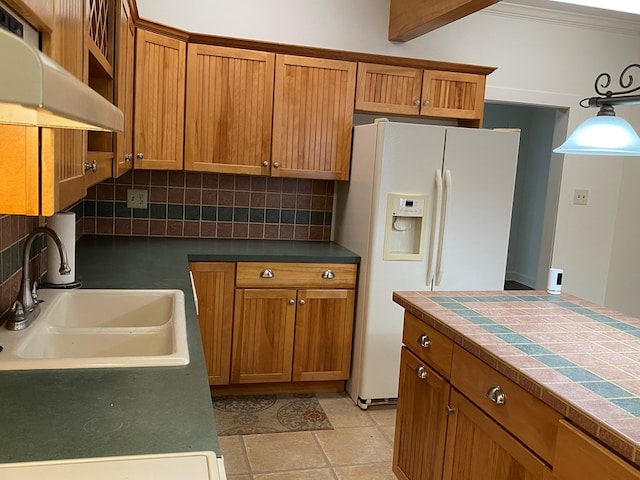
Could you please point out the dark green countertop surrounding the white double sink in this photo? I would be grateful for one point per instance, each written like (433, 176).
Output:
(56, 414)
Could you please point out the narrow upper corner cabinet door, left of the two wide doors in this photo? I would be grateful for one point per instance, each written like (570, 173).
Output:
(159, 101)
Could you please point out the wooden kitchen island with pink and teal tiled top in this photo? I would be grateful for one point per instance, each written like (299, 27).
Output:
(518, 384)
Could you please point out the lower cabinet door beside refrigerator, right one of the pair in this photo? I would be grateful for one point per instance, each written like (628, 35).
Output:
(324, 325)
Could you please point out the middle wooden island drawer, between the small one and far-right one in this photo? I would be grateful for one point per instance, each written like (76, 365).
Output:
(526, 417)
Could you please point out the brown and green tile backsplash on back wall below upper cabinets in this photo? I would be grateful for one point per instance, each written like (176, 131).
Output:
(209, 205)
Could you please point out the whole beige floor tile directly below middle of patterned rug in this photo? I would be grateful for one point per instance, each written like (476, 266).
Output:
(275, 452)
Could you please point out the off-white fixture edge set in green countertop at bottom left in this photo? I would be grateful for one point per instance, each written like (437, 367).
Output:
(170, 466)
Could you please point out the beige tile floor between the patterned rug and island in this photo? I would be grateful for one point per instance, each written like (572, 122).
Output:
(359, 447)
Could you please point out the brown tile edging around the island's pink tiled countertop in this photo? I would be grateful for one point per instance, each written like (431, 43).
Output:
(587, 422)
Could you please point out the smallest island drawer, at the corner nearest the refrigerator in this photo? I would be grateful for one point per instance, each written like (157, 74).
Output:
(437, 349)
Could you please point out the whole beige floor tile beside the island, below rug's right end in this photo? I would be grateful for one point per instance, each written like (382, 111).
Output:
(353, 446)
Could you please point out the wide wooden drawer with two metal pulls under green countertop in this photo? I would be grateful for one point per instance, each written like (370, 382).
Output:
(306, 275)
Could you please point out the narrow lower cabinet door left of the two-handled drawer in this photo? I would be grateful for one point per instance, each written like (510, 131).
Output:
(214, 285)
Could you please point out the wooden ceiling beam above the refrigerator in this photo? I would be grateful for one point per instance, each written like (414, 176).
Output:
(409, 19)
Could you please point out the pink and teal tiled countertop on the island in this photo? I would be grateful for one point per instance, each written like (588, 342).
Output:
(580, 358)
